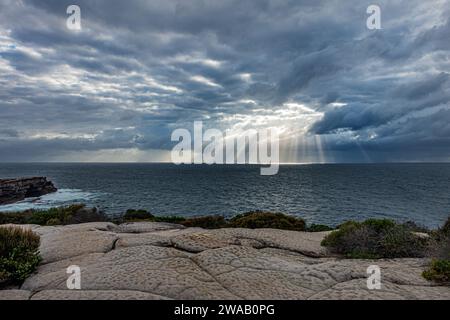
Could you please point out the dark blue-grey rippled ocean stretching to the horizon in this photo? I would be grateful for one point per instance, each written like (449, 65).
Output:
(319, 193)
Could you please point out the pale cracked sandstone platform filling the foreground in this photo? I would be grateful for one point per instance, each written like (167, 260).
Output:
(142, 261)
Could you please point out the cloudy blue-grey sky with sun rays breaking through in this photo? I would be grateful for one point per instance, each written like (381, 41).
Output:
(115, 90)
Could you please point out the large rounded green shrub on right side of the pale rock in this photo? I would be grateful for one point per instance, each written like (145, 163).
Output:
(374, 239)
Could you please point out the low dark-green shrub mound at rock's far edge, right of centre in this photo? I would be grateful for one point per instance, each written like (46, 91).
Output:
(260, 219)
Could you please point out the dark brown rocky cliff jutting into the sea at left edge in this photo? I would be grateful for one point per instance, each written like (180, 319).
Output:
(13, 190)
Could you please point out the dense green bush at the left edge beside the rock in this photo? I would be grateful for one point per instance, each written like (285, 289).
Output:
(19, 254)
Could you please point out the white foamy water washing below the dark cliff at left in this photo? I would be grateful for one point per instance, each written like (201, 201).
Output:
(60, 198)
